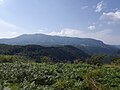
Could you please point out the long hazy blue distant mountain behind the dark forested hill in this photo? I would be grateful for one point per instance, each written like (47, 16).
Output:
(88, 45)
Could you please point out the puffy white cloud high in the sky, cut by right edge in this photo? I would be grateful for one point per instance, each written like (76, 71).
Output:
(113, 17)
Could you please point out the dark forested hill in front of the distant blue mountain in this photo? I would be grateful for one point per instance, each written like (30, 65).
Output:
(58, 54)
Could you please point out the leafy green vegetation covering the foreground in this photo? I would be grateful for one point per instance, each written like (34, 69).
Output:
(60, 76)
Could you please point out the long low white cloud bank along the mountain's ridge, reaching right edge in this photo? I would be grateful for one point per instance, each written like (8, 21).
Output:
(104, 35)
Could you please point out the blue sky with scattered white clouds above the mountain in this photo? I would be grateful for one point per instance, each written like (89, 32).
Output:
(98, 19)
